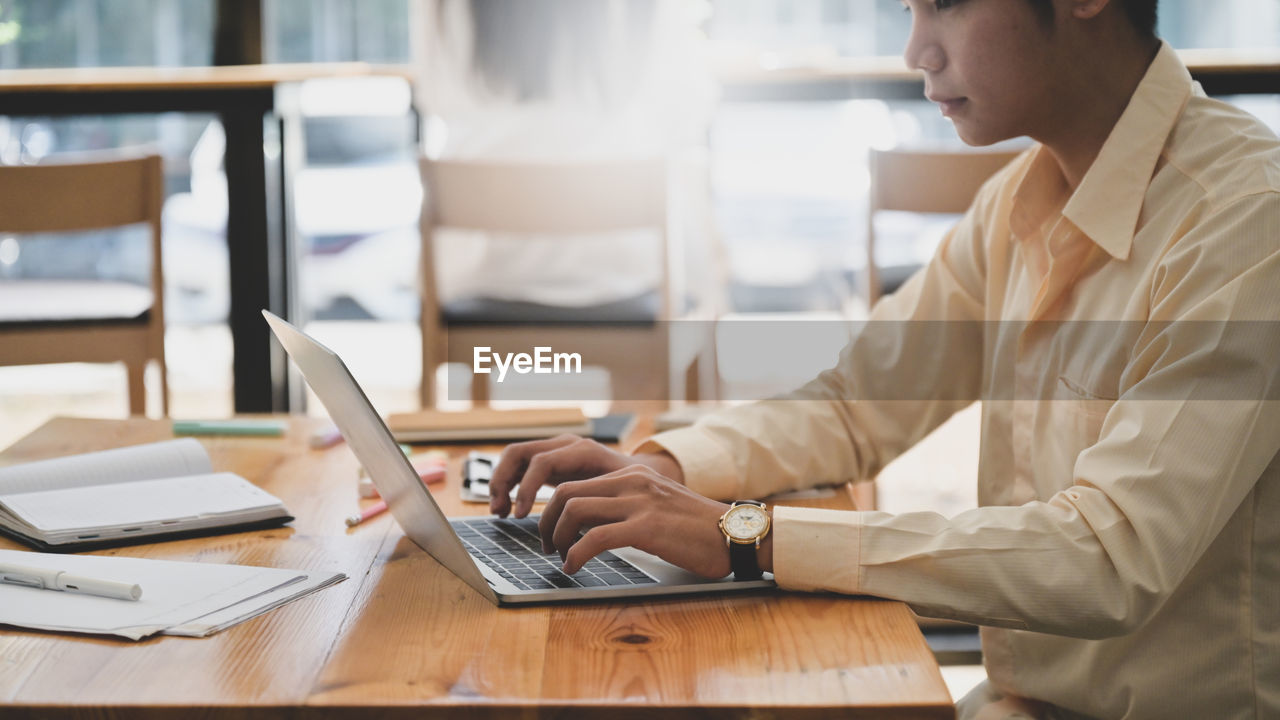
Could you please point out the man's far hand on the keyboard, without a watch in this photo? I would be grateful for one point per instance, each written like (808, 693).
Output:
(556, 461)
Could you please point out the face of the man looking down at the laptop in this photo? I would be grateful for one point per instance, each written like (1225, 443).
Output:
(993, 66)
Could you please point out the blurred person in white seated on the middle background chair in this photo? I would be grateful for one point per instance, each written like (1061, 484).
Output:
(573, 81)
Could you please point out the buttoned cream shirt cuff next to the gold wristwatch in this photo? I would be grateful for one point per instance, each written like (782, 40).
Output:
(817, 550)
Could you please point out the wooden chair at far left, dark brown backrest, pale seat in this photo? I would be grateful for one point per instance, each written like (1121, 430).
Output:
(86, 321)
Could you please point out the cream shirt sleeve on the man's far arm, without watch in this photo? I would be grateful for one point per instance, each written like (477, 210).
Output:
(913, 364)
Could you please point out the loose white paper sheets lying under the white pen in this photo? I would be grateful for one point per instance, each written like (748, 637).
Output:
(179, 599)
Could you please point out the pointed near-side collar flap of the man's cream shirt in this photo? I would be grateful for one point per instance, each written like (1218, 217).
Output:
(1109, 200)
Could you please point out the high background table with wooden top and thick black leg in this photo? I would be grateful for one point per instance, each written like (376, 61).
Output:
(264, 142)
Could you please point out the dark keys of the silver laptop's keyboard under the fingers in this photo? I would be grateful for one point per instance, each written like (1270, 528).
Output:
(514, 550)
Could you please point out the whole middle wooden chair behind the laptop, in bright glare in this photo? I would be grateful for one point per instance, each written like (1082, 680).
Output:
(630, 339)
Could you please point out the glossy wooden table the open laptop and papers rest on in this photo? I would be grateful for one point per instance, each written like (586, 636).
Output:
(405, 639)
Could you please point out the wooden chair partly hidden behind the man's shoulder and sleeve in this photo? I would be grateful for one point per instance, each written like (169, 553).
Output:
(916, 181)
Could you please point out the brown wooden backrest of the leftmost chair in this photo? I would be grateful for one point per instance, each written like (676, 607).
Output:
(77, 194)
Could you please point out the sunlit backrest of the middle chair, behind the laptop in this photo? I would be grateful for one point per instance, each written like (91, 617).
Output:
(546, 198)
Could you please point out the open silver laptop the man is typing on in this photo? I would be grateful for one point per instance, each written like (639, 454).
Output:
(501, 559)
